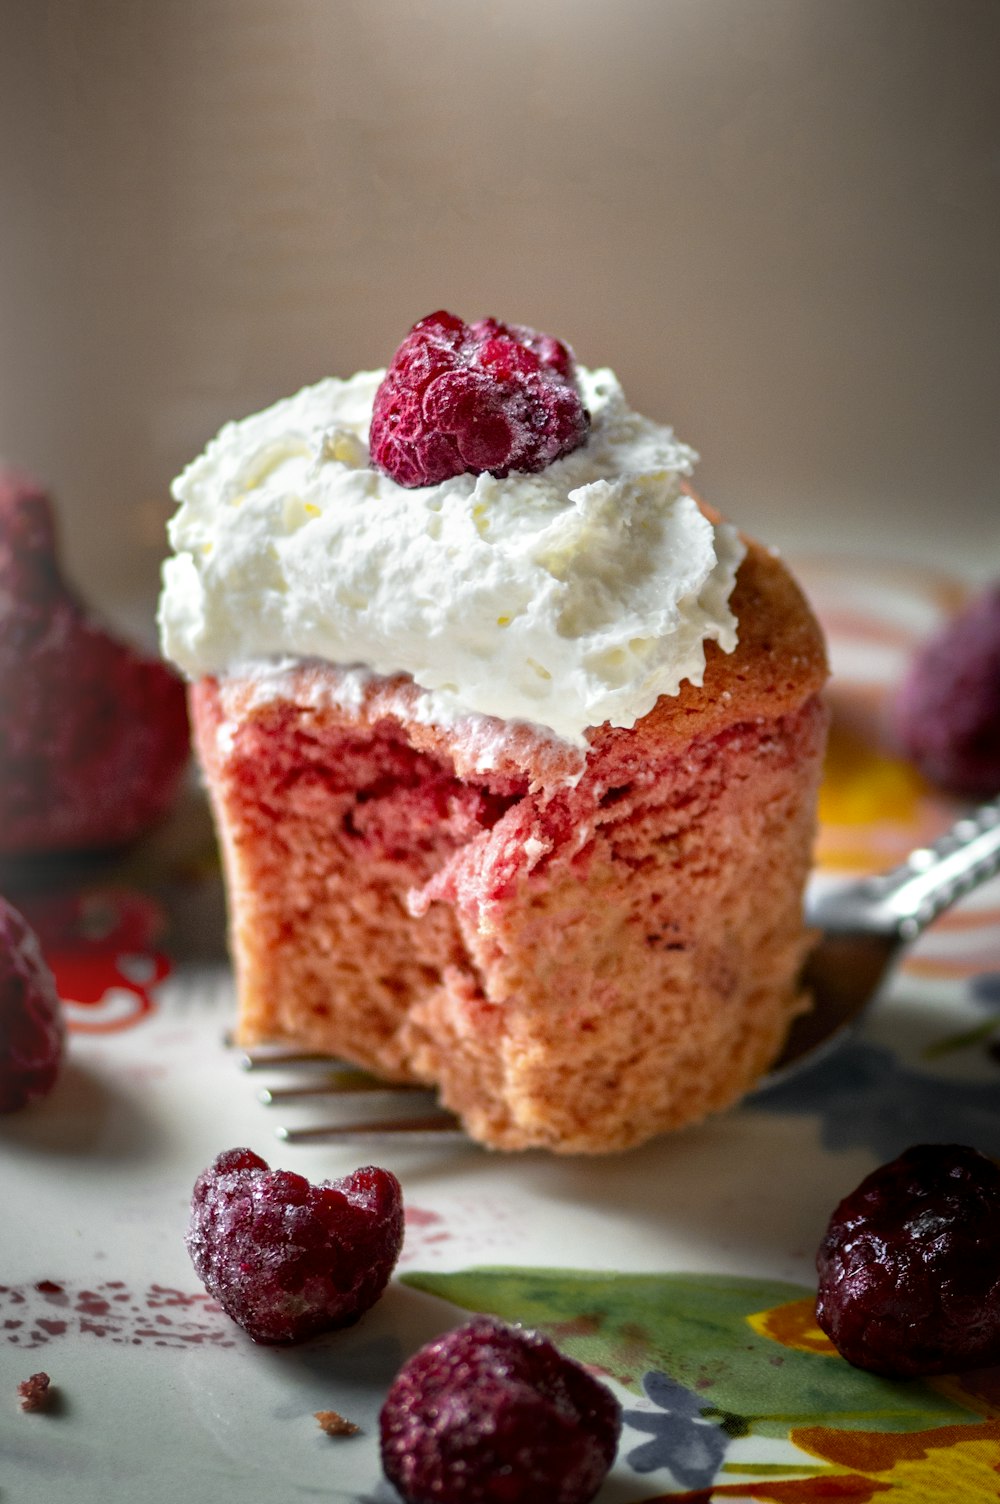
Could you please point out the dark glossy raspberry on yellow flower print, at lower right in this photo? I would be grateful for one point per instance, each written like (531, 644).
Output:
(911, 1266)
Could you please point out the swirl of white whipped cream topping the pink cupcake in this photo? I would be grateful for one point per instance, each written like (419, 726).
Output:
(565, 599)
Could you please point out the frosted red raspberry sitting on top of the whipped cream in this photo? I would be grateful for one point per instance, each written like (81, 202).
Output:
(461, 399)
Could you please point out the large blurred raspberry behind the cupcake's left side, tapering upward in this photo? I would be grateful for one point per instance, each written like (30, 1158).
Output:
(94, 738)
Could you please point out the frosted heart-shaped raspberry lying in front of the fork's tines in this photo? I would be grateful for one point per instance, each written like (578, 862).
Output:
(288, 1260)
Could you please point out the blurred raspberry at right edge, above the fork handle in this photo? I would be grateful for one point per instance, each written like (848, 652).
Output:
(948, 711)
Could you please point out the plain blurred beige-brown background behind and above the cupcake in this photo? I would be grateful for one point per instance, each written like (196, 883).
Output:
(780, 222)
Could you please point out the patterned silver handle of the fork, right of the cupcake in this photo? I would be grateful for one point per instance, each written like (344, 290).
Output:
(906, 900)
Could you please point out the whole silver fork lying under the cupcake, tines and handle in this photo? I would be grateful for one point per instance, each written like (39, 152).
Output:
(864, 929)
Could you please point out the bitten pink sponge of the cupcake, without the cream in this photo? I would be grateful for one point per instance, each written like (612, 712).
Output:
(580, 950)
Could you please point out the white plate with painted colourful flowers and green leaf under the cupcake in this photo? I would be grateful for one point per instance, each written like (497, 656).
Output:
(682, 1272)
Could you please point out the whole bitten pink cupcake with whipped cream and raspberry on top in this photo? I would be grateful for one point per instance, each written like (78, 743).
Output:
(512, 744)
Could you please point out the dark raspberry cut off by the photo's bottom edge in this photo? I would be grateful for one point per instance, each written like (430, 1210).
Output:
(495, 1416)
